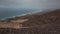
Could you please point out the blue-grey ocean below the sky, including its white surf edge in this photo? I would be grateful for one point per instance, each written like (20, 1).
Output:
(10, 13)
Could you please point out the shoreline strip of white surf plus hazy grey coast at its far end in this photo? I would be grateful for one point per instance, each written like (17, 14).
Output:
(33, 12)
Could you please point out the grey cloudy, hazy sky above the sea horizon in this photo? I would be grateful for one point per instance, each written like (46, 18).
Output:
(38, 4)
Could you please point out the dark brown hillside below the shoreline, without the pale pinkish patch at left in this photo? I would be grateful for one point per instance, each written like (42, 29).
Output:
(48, 23)
